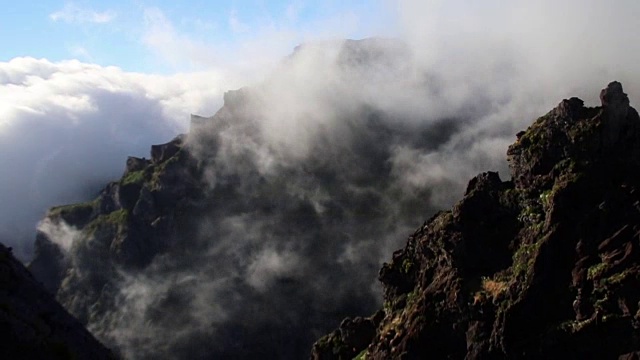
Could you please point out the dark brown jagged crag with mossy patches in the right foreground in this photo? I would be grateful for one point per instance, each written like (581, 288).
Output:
(544, 266)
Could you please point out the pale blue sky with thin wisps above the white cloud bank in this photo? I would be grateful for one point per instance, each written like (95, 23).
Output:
(166, 36)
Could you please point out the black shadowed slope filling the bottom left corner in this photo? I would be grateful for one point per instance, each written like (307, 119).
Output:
(33, 325)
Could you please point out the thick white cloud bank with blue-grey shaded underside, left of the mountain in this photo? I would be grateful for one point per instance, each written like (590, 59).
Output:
(66, 129)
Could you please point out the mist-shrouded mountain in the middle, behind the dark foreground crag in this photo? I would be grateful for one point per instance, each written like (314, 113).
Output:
(265, 225)
